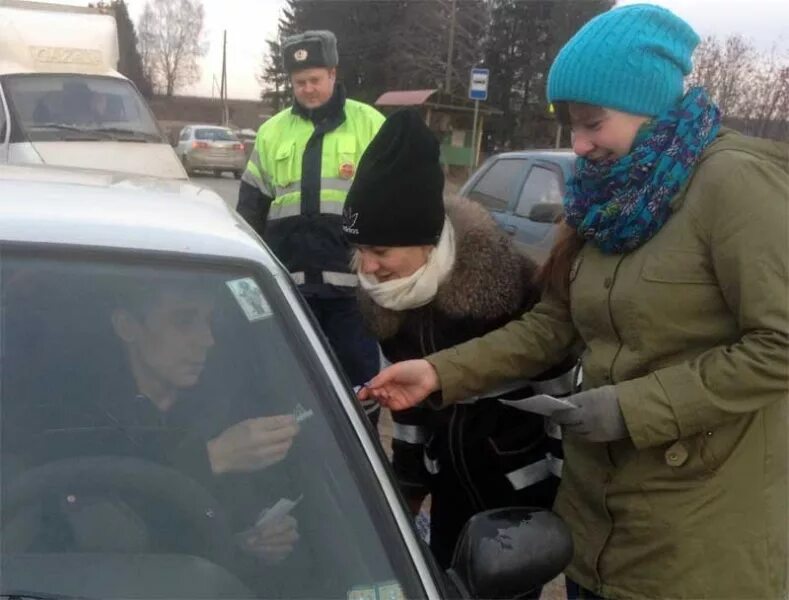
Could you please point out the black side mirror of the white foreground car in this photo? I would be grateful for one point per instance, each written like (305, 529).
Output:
(506, 552)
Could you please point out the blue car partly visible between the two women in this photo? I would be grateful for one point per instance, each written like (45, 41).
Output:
(523, 192)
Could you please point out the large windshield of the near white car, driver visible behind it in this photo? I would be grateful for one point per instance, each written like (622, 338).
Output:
(168, 431)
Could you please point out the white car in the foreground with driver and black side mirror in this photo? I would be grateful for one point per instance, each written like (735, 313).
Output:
(173, 426)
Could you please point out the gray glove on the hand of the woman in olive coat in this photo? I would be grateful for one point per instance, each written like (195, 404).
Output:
(598, 417)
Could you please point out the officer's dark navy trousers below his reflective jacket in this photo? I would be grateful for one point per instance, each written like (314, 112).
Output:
(355, 348)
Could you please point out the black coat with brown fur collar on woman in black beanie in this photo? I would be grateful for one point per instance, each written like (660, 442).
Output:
(478, 454)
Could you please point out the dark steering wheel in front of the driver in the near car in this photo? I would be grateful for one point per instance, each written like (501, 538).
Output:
(120, 476)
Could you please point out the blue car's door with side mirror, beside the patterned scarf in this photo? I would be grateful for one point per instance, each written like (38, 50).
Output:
(538, 205)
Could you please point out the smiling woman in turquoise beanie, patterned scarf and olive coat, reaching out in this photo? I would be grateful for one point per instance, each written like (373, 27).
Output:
(672, 270)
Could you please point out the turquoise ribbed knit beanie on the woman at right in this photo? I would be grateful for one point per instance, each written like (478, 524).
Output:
(632, 59)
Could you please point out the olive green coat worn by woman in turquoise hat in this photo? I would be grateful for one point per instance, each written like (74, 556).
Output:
(693, 328)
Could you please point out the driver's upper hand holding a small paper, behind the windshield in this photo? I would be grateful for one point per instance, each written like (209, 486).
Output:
(252, 444)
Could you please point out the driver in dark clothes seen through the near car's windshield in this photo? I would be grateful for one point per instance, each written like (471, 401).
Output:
(149, 397)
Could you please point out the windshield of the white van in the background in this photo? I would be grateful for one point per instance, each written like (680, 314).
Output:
(51, 107)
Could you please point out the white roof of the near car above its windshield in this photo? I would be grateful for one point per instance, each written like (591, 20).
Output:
(119, 212)
